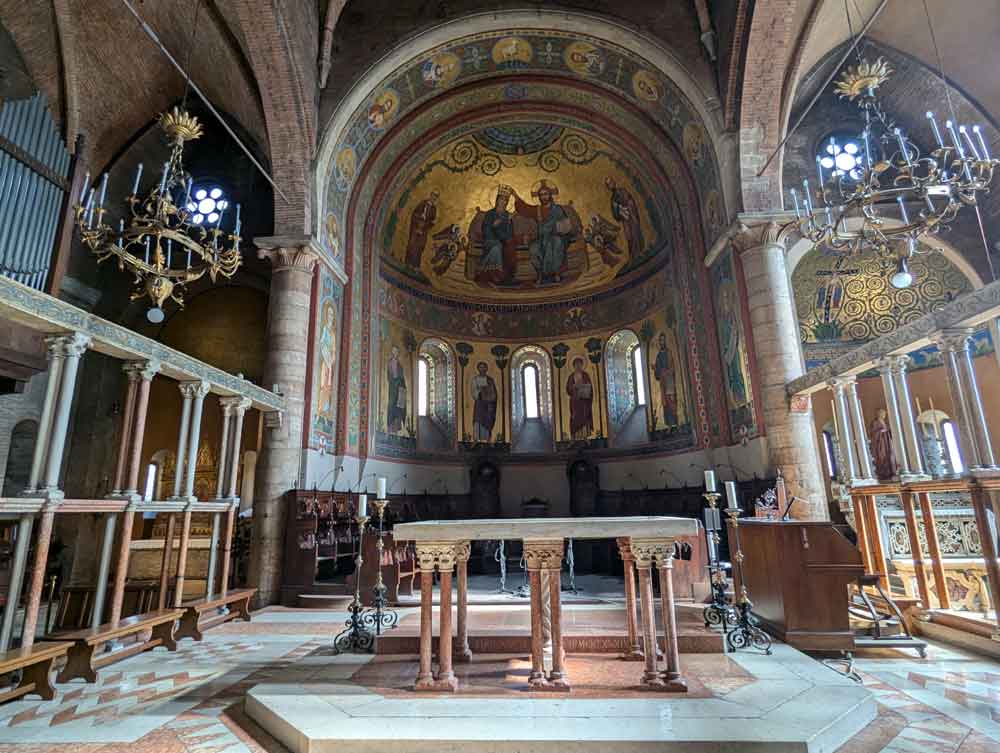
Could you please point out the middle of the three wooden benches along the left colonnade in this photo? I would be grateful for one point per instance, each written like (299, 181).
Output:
(81, 661)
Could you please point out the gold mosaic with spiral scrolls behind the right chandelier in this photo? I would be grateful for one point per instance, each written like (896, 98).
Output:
(845, 301)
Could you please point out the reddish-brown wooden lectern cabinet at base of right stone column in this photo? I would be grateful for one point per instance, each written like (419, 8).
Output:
(797, 574)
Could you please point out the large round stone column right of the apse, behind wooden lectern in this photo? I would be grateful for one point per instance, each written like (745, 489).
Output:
(791, 436)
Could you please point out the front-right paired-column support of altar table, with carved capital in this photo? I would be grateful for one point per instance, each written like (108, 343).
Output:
(659, 551)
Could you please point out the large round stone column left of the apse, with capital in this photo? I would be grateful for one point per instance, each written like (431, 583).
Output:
(278, 465)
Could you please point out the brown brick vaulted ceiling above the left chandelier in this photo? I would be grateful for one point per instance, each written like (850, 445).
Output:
(106, 79)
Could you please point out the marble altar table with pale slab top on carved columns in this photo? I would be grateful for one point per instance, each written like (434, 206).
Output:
(646, 541)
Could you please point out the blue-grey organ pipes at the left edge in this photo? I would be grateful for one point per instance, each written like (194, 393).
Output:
(34, 180)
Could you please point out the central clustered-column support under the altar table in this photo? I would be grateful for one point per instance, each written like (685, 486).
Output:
(546, 554)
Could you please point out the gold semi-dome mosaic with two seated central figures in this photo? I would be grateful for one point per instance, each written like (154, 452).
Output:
(522, 209)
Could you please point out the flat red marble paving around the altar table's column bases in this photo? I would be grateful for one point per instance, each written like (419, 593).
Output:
(590, 675)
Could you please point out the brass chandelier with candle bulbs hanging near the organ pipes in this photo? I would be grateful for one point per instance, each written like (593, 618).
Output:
(166, 244)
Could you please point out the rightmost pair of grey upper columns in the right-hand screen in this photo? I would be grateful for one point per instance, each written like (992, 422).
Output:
(973, 433)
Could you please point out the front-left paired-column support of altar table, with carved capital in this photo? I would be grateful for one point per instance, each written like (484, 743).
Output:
(440, 556)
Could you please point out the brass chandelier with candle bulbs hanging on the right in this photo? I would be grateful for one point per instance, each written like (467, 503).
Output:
(893, 195)
